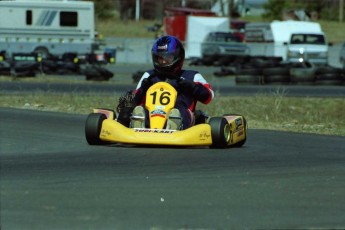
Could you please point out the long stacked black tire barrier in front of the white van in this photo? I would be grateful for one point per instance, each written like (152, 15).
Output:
(260, 70)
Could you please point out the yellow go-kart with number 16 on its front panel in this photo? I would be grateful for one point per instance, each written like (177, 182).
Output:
(103, 125)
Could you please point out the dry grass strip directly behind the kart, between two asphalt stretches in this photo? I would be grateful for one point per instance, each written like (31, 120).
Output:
(273, 112)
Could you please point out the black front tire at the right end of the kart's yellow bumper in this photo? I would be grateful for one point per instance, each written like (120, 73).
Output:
(220, 132)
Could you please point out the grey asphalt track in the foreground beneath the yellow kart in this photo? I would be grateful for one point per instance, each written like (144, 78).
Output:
(51, 179)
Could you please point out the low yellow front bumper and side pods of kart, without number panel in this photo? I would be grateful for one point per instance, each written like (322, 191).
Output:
(198, 135)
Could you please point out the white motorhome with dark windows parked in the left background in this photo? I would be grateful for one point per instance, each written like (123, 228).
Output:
(47, 27)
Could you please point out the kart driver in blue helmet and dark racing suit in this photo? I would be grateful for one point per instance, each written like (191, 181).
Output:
(168, 56)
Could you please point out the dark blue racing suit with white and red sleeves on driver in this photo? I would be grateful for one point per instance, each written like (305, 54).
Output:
(187, 97)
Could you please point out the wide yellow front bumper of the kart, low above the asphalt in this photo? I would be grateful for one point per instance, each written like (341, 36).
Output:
(199, 135)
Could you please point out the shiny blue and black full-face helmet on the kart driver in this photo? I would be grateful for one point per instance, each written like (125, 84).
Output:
(168, 55)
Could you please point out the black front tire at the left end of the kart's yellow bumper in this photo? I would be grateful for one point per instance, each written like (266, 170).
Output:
(93, 127)
